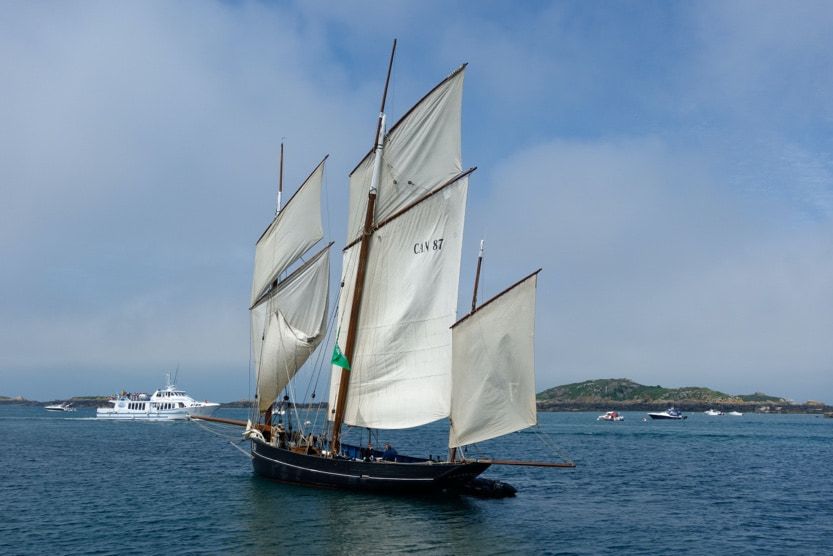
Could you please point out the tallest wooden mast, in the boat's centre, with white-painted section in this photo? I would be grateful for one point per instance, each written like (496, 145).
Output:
(361, 269)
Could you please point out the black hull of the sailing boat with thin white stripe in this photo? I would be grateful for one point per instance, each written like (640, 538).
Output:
(375, 476)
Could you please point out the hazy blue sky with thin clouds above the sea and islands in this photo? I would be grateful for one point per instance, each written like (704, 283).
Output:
(668, 164)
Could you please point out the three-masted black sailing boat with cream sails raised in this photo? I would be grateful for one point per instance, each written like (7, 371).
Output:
(401, 358)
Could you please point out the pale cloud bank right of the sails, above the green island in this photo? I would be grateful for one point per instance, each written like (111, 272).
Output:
(655, 270)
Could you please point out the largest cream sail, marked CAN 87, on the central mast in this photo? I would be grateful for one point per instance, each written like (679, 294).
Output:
(401, 365)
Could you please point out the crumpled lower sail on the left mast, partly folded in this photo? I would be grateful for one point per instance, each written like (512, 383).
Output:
(288, 326)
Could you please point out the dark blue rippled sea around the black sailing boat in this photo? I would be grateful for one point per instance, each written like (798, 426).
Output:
(757, 484)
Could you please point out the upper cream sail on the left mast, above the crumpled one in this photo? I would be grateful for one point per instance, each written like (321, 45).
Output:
(296, 228)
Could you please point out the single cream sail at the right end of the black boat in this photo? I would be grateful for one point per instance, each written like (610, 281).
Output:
(493, 377)
